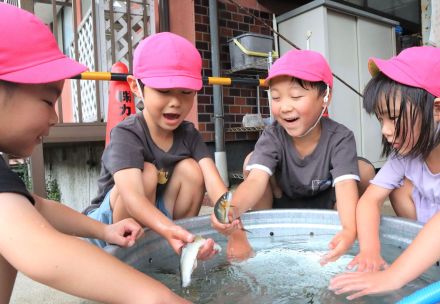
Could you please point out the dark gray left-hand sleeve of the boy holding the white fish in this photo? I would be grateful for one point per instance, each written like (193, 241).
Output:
(124, 151)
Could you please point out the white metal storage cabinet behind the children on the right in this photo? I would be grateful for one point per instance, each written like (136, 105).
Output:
(347, 37)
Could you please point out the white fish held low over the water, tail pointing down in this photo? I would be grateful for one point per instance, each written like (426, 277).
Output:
(188, 258)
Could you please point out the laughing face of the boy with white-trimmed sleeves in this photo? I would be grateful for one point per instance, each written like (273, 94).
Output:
(295, 107)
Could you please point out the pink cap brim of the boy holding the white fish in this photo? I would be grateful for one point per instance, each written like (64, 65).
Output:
(169, 82)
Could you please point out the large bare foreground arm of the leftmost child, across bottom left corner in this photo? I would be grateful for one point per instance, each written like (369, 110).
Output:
(31, 245)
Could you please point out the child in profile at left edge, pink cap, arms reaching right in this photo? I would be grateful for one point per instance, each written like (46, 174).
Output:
(36, 233)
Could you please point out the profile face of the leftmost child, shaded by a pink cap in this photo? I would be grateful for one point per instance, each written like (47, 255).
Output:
(26, 114)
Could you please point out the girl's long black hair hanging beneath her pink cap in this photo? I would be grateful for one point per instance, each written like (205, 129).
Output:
(420, 104)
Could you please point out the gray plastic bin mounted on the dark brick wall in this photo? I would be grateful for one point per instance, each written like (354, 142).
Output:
(250, 51)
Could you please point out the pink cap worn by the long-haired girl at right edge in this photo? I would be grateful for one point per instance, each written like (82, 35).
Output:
(417, 67)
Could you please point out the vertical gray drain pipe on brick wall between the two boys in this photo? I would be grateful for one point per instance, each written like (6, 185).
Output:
(220, 153)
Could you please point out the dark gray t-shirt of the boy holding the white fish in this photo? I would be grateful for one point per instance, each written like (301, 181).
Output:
(131, 145)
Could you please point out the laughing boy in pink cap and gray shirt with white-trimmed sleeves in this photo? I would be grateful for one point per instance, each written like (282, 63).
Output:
(303, 160)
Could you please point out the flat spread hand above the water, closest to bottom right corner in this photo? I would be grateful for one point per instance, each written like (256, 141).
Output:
(359, 284)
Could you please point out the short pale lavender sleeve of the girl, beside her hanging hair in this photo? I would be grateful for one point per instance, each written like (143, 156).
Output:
(392, 173)
